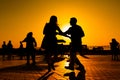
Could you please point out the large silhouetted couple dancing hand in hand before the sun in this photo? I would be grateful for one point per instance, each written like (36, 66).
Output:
(49, 42)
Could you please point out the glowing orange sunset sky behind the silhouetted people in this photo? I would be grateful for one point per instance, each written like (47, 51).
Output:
(100, 19)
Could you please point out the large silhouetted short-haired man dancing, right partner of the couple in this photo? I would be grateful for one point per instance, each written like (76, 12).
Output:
(76, 33)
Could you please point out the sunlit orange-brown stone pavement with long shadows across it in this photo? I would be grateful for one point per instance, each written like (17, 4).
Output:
(98, 67)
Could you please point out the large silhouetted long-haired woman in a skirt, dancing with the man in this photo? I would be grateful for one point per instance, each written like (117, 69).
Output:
(49, 42)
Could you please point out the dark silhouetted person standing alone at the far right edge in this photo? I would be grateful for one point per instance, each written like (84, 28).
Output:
(114, 45)
